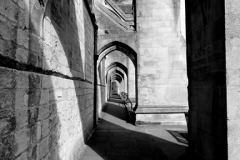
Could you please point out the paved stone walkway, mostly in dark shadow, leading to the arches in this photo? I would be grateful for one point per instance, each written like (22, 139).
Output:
(115, 139)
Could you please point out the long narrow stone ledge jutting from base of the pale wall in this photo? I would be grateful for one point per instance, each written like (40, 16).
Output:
(163, 109)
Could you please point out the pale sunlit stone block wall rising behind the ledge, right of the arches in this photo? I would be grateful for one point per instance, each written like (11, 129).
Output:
(162, 80)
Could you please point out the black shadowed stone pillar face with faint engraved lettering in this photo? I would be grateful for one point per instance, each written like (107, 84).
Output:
(207, 79)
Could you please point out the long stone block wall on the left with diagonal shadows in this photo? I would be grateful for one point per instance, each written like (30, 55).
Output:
(46, 81)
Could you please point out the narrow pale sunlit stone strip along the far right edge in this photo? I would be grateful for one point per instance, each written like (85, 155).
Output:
(232, 22)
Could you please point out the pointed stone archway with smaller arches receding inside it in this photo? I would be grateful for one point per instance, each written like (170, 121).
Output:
(115, 71)
